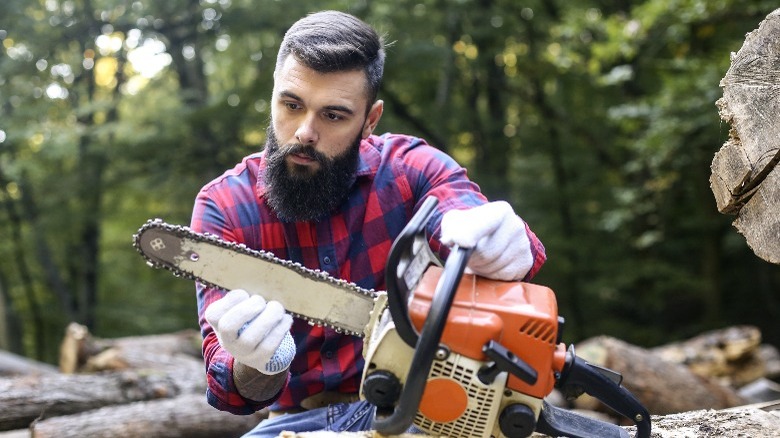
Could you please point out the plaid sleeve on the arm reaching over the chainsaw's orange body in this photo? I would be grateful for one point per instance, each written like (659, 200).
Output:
(431, 172)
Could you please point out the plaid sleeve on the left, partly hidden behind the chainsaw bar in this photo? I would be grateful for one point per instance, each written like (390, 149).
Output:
(209, 216)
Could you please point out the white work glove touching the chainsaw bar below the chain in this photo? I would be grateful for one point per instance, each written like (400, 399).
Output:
(255, 332)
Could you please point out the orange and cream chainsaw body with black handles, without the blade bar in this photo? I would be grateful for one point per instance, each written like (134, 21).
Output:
(466, 356)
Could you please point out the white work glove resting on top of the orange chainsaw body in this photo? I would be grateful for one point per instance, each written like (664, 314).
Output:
(502, 249)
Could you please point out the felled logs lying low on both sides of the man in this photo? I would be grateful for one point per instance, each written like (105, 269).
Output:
(154, 386)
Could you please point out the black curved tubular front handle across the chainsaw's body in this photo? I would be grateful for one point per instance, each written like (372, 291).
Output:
(428, 340)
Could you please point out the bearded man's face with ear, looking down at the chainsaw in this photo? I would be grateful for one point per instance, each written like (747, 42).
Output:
(312, 162)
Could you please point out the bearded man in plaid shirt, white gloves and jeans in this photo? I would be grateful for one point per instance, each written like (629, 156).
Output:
(328, 193)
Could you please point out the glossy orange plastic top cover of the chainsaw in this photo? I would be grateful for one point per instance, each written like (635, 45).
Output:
(523, 317)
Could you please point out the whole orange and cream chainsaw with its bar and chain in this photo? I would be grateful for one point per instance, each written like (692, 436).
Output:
(460, 355)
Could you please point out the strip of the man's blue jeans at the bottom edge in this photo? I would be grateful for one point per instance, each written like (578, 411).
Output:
(338, 417)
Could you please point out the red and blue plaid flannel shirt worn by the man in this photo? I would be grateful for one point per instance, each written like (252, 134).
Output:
(395, 174)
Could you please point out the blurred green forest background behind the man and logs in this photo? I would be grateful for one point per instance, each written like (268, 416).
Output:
(595, 119)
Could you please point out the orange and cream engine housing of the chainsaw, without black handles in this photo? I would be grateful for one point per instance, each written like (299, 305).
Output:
(458, 401)
